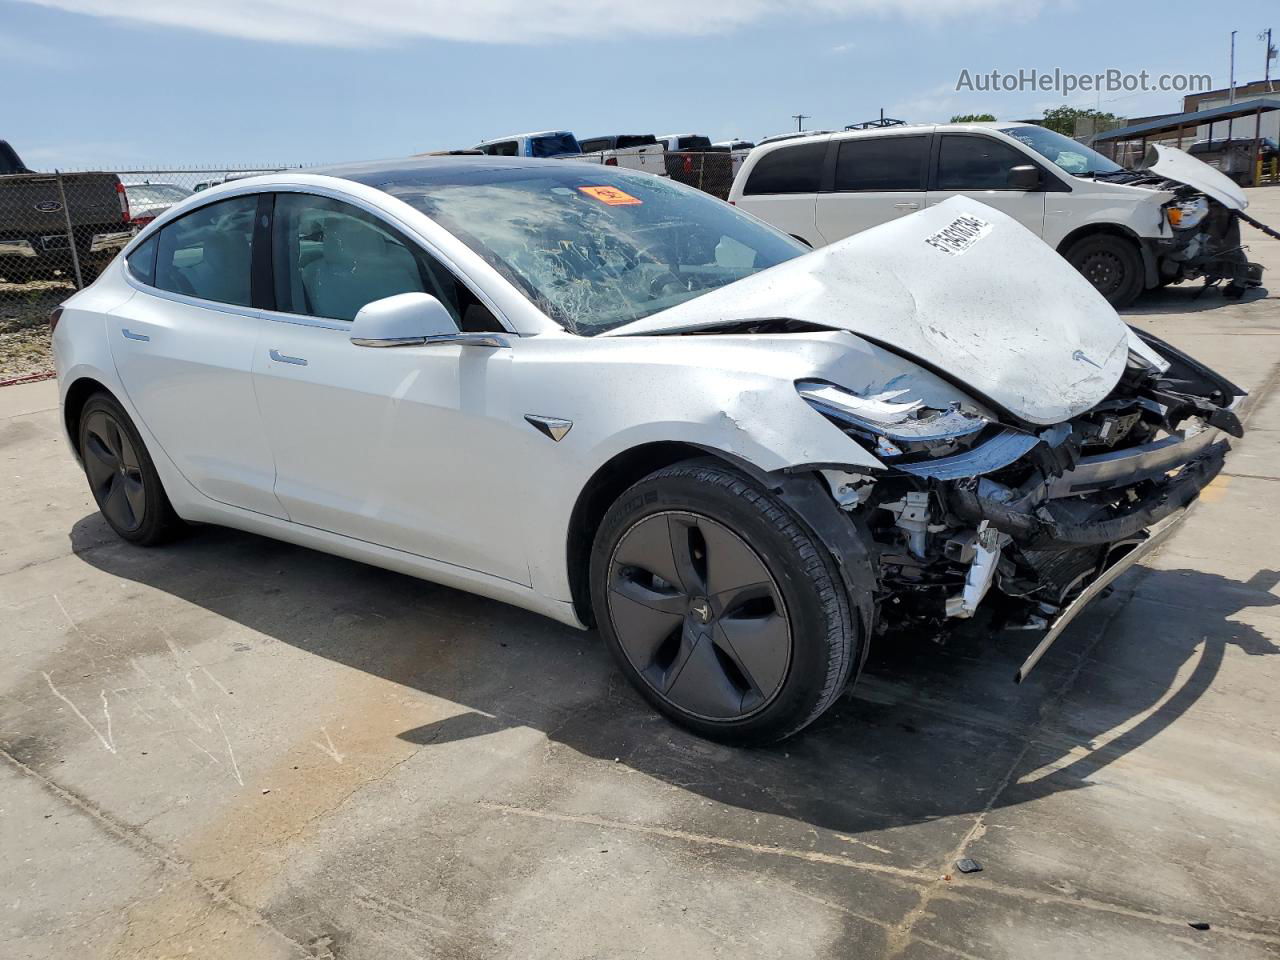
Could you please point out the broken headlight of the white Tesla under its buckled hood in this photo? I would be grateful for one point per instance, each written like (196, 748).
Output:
(894, 423)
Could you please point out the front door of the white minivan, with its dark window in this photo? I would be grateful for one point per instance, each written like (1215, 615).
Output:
(977, 166)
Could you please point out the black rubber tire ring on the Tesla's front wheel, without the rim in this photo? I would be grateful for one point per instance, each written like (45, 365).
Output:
(812, 619)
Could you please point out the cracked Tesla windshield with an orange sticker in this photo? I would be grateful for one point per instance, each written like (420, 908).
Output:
(598, 250)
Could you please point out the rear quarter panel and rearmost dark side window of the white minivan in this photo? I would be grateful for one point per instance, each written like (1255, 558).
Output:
(783, 189)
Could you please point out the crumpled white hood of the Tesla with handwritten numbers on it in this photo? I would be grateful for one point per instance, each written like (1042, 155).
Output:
(961, 289)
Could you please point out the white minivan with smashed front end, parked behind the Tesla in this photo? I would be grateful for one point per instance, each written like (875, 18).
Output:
(1127, 231)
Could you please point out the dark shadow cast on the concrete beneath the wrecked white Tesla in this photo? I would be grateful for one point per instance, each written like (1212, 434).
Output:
(930, 732)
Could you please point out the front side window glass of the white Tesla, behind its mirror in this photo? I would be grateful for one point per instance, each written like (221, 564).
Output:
(331, 259)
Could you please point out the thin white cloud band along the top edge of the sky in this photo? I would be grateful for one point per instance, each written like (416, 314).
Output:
(385, 22)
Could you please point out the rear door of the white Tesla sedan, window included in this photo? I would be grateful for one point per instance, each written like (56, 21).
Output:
(184, 346)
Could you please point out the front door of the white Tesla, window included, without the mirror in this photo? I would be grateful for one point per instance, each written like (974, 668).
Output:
(397, 446)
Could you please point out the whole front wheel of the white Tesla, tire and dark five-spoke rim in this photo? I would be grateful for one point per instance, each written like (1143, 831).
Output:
(748, 662)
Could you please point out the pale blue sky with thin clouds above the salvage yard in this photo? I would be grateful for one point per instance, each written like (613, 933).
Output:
(156, 83)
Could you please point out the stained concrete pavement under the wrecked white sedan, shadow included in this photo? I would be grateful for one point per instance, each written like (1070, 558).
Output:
(232, 748)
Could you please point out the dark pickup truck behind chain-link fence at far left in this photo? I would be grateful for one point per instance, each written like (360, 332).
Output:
(34, 220)
